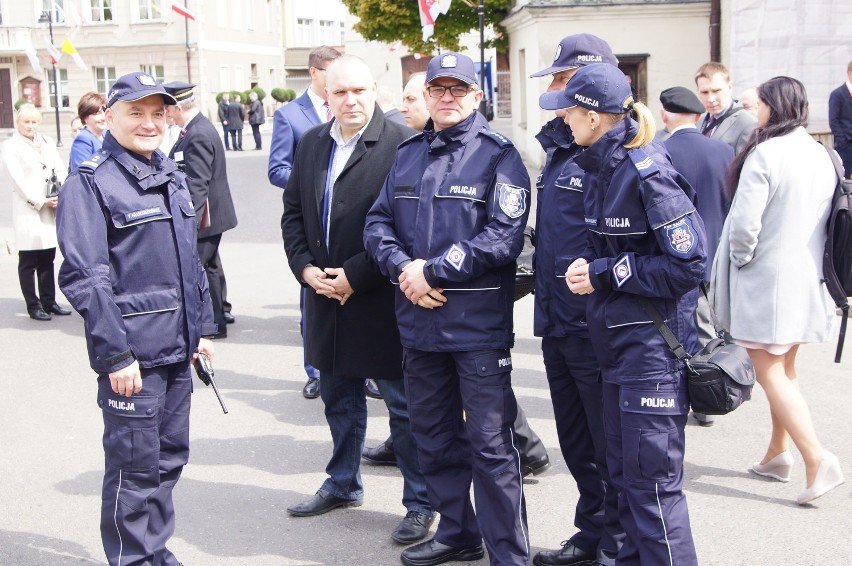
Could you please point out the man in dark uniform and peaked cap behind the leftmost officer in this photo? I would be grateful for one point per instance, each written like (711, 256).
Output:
(199, 153)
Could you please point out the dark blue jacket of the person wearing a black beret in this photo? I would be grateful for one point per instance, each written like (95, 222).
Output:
(704, 163)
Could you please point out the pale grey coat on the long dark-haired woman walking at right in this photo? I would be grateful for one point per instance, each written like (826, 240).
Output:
(767, 275)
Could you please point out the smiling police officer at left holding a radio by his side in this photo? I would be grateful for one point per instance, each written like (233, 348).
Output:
(126, 228)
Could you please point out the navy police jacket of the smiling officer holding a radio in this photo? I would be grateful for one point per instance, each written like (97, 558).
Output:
(126, 228)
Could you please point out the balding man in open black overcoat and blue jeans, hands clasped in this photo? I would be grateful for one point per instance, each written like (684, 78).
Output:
(339, 169)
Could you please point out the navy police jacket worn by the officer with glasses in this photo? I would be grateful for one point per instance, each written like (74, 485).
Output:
(458, 199)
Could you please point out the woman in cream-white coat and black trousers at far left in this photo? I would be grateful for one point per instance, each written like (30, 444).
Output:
(30, 162)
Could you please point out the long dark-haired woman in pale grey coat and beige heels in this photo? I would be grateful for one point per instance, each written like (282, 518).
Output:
(767, 275)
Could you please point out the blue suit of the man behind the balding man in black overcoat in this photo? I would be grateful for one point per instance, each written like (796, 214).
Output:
(291, 121)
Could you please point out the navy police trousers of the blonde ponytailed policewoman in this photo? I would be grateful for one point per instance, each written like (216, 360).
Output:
(644, 426)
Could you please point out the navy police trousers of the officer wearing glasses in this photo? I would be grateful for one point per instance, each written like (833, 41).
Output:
(462, 407)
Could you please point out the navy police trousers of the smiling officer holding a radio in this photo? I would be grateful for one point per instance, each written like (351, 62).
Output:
(146, 445)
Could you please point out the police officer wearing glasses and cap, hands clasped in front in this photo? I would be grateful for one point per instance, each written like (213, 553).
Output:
(447, 227)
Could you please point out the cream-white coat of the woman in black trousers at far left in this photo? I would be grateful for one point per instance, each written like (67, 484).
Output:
(27, 166)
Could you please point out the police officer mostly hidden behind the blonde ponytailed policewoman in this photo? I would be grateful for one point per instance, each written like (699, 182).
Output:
(572, 369)
